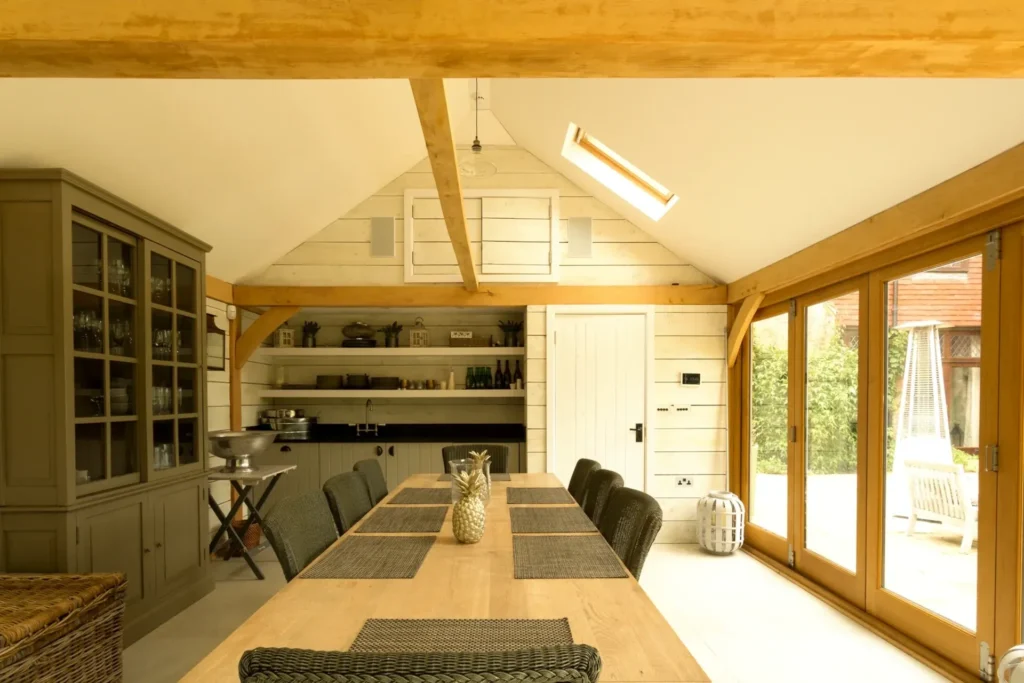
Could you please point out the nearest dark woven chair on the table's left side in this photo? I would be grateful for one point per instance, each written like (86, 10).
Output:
(300, 529)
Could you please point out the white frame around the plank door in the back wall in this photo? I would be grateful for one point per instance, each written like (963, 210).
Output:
(551, 421)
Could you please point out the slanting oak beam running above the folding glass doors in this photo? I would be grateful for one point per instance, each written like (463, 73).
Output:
(977, 194)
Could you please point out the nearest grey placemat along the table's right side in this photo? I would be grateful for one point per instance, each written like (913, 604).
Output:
(565, 558)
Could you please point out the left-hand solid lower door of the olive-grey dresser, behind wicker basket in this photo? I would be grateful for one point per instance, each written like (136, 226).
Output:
(118, 537)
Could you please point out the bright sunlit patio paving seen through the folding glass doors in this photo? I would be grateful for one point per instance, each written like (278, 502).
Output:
(927, 568)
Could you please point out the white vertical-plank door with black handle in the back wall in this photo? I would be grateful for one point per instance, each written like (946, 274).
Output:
(600, 394)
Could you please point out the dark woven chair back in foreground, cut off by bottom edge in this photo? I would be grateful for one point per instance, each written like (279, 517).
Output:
(569, 664)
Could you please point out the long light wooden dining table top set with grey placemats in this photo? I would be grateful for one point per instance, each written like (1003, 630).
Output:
(615, 616)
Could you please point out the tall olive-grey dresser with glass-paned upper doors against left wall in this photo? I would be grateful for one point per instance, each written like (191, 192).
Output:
(104, 354)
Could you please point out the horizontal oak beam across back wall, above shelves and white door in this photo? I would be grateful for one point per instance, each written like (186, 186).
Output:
(449, 295)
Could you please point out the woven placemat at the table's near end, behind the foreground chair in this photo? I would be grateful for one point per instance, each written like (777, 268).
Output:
(460, 635)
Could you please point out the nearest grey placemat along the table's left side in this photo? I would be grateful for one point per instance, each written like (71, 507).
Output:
(373, 558)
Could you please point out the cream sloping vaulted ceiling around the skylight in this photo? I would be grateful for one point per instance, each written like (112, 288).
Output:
(763, 167)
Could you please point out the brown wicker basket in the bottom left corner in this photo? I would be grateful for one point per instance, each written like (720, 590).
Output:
(62, 628)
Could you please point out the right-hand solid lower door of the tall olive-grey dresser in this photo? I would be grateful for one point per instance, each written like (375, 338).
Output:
(179, 551)
